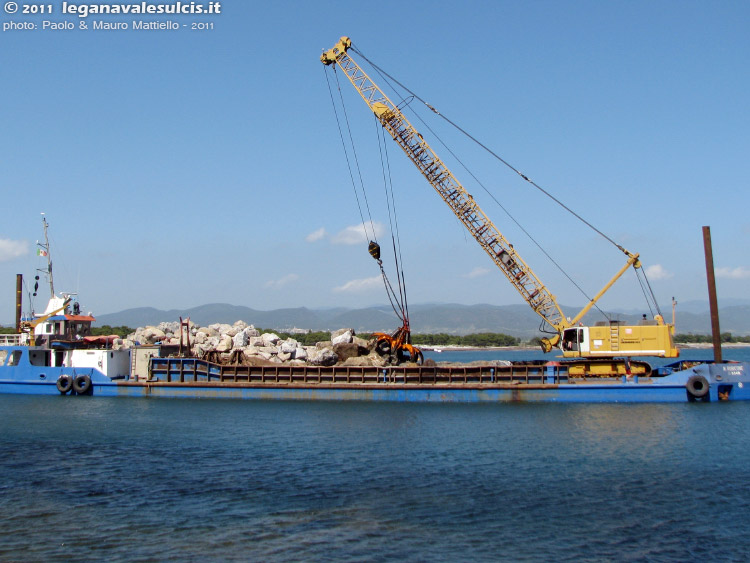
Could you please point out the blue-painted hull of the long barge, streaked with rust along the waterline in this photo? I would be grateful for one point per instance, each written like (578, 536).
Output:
(704, 382)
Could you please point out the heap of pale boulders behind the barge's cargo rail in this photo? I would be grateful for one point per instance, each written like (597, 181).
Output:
(241, 343)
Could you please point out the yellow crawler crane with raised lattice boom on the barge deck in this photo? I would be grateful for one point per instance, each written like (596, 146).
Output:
(595, 346)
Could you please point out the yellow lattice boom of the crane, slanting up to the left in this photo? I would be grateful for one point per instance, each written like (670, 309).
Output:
(502, 253)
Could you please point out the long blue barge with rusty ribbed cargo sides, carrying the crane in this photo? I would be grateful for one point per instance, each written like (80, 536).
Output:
(103, 372)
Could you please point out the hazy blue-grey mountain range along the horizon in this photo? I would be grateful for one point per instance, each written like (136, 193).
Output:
(515, 320)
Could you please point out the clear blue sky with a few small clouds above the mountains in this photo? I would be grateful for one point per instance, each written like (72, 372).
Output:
(183, 167)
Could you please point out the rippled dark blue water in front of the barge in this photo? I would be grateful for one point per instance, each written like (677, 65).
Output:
(89, 479)
